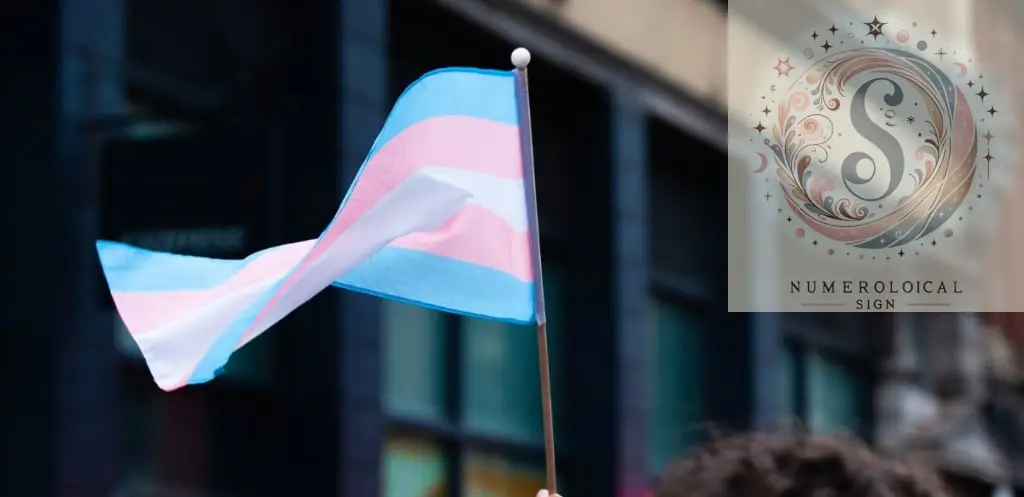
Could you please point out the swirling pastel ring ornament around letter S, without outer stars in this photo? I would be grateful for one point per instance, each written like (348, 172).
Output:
(875, 148)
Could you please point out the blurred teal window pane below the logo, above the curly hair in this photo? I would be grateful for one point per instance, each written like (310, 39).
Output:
(835, 396)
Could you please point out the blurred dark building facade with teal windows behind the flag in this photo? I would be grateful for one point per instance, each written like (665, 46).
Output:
(220, 128)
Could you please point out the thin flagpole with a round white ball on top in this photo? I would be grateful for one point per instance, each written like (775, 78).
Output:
(521, 59)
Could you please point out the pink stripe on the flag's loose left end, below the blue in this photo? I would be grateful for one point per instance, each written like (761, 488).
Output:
(143, 312)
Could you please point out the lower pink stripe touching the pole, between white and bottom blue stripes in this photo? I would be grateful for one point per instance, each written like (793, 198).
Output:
(478, 236)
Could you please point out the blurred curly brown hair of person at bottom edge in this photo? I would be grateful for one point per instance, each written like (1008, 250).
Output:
(772, 466)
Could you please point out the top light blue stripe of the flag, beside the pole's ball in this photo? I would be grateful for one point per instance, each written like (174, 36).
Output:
(452, 92)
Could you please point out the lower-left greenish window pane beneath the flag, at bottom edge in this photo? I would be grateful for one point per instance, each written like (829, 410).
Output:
(414, 468)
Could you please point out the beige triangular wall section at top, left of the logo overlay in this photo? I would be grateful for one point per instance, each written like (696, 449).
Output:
(680, 40)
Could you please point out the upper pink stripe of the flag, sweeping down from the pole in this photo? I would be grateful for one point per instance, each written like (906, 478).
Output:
(455, 142)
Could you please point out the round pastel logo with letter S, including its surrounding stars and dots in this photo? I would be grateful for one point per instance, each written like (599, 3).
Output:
(877, 142)
